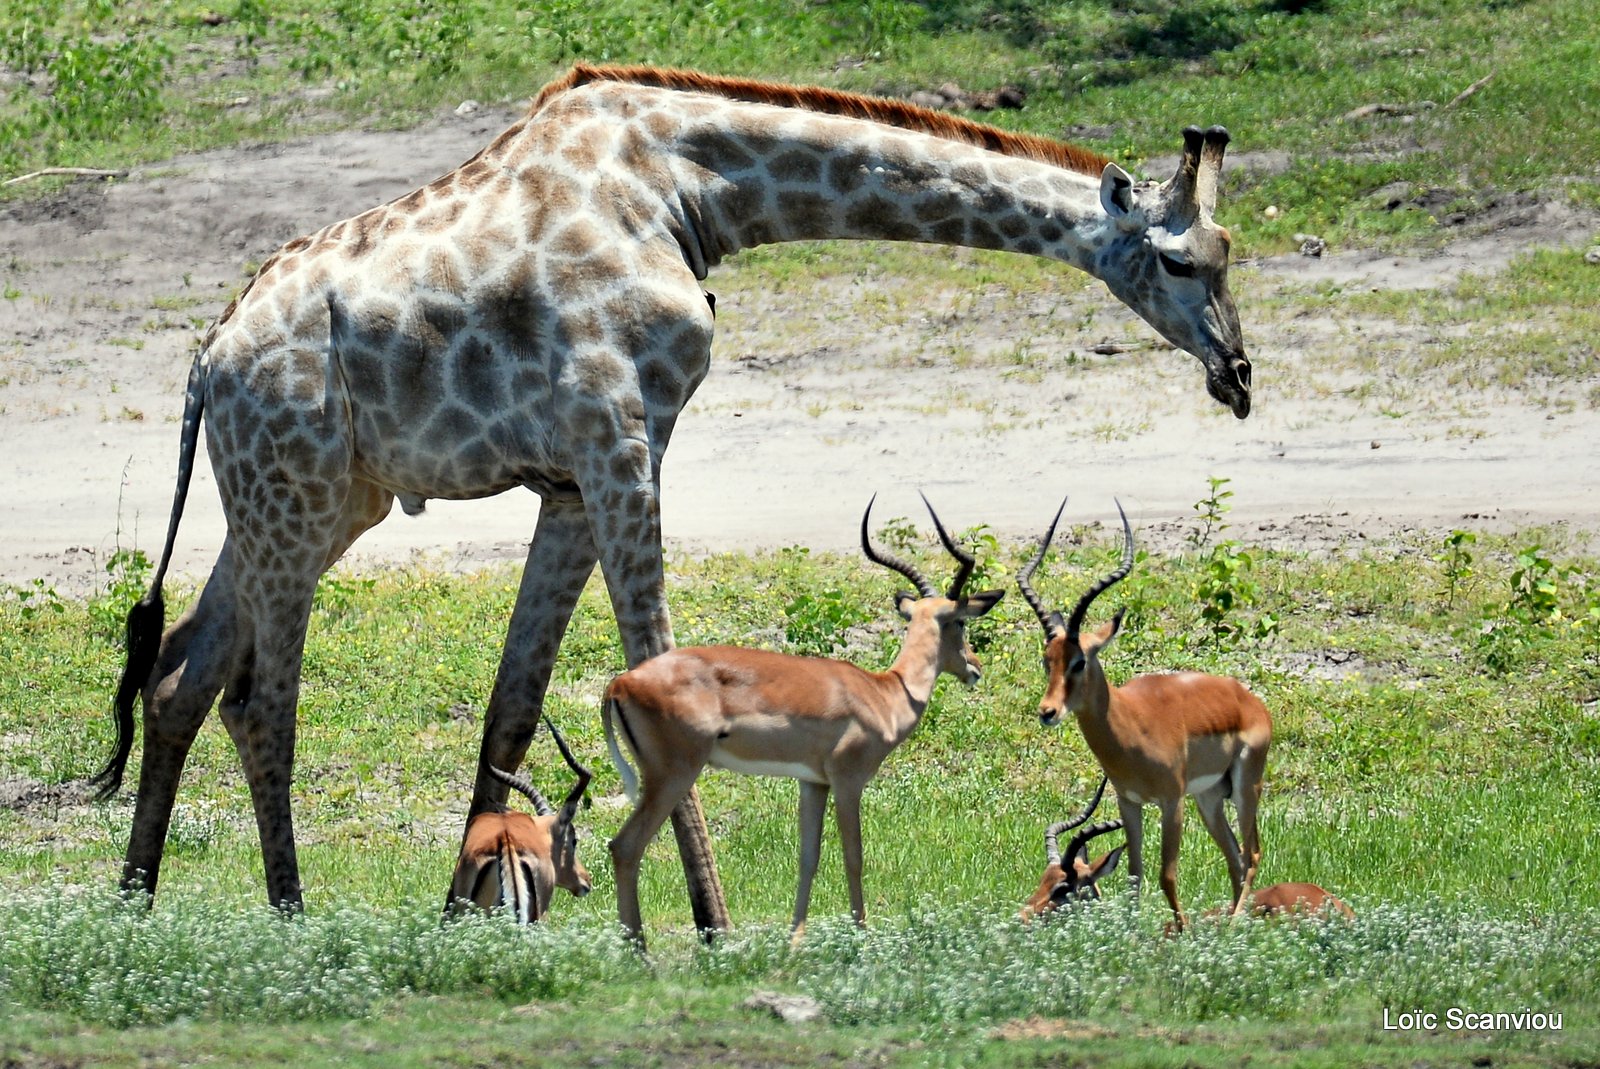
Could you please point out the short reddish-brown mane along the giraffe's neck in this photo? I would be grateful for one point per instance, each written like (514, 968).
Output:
(838, 103)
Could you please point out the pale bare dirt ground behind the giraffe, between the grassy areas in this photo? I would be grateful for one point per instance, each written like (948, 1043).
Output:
(993, 404)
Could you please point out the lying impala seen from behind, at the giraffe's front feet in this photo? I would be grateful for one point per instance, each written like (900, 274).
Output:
(516, 860)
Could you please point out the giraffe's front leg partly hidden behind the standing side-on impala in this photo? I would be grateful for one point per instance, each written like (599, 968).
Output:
(625, 514)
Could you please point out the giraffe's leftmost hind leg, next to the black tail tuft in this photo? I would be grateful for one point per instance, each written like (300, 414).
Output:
(198, 659)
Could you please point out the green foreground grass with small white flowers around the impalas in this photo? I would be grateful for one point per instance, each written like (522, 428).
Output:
(1433, 703)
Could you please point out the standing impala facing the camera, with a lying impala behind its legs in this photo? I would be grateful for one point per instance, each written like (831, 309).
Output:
(1158, 737)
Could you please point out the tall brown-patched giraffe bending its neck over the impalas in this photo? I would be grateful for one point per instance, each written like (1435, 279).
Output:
(537, 319)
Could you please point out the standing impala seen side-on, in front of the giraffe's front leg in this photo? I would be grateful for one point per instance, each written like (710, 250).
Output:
(823, 723)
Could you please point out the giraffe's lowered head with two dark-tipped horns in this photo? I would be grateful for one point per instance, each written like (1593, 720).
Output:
(1169, 262)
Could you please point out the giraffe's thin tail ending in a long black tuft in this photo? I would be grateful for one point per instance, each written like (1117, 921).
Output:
(150, 614)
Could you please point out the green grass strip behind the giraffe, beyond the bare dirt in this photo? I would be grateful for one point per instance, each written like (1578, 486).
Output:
(114, 84)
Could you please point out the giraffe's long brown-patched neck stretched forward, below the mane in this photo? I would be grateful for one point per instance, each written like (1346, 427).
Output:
(734, 175)
